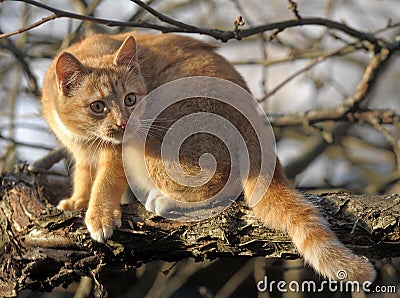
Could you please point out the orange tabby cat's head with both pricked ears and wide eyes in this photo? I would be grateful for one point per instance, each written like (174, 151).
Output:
(97, 95)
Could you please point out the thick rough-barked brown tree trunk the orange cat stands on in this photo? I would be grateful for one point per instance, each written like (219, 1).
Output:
(42, 247)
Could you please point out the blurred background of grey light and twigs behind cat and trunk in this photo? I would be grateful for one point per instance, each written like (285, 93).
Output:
(297, 70)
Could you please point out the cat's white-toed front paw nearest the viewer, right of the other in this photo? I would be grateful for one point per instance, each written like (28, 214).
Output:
(102, 222)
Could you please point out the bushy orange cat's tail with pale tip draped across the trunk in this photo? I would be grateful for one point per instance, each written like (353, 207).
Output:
(284, 208)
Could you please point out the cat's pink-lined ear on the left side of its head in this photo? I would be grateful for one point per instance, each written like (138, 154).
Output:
(69, 72)
